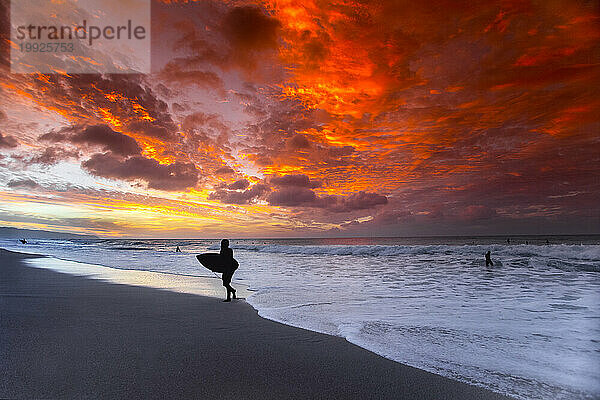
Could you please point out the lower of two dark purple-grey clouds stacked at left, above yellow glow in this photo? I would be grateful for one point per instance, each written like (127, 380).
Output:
(169, 177)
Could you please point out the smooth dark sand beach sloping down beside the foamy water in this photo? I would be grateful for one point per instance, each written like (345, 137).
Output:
(63, 336)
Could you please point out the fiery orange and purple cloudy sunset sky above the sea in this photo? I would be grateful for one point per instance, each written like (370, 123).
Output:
(318, 118)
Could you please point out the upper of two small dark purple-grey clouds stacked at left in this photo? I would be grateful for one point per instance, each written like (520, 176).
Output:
(101, 135)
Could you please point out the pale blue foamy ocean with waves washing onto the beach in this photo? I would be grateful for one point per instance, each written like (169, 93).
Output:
(528, 327)
